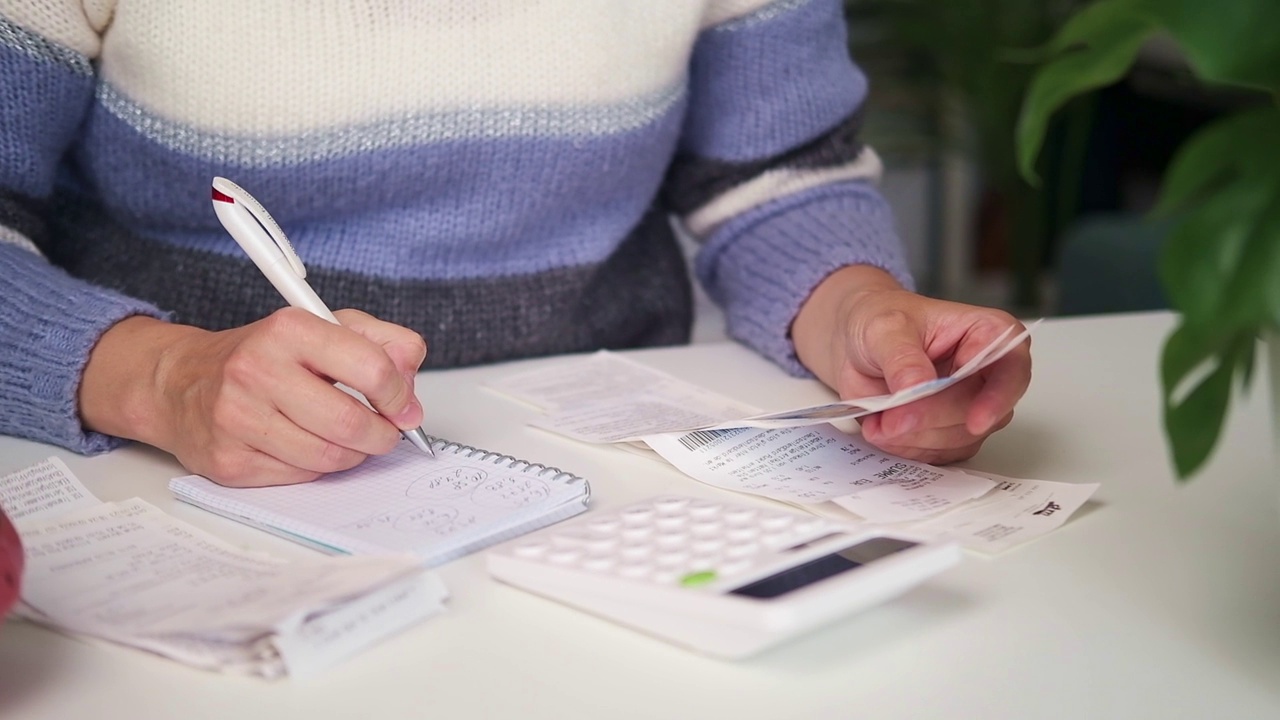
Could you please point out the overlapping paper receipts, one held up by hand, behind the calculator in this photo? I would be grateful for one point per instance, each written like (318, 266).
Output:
(797, 457)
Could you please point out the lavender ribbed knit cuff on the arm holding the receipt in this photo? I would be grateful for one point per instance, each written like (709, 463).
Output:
(762, 266)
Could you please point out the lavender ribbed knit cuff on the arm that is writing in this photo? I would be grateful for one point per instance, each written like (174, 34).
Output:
(51, 323)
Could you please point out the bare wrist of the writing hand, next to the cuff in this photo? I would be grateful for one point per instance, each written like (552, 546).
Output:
(122, 388)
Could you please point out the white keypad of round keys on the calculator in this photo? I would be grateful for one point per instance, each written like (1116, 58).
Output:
(673, 541)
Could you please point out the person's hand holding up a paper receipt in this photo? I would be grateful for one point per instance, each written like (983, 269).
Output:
(863, 335)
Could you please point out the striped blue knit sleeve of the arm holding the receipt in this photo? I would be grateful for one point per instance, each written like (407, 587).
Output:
(771, 175)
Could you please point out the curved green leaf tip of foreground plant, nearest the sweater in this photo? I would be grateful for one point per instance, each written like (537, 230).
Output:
(1096, 48)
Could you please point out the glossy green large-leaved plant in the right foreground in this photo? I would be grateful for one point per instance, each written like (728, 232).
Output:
(1220, 265)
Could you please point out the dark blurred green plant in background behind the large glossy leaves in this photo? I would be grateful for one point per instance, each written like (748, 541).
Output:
(967, 58)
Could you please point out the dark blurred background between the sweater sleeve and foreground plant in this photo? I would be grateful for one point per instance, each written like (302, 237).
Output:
(948, 79)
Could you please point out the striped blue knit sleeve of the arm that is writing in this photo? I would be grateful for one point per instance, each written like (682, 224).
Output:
(48, 320)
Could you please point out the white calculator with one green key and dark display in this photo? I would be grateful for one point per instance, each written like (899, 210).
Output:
(723, 578)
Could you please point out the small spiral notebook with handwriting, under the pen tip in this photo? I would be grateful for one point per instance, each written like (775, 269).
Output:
(438, 509)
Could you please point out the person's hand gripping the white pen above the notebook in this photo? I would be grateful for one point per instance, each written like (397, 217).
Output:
(257, 405)
